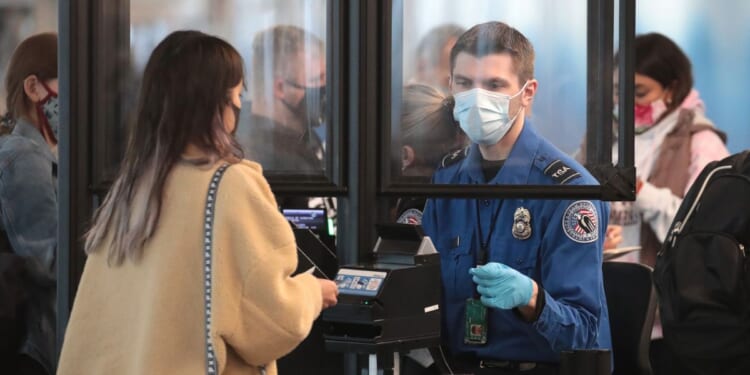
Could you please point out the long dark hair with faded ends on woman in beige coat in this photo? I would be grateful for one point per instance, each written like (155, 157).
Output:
(185, 87)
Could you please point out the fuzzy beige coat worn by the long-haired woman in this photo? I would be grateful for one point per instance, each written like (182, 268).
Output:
(147, 317)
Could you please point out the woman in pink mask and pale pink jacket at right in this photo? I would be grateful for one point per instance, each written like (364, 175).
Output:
(674, 141)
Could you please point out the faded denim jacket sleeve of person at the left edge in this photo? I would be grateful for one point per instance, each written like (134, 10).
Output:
(28, 205)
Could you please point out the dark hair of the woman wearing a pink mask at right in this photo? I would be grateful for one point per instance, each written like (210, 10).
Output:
(660, 59)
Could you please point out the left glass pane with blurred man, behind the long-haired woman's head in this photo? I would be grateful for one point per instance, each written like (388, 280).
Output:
(283, 123)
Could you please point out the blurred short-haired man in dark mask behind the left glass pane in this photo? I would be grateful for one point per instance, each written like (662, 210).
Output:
(288, 101)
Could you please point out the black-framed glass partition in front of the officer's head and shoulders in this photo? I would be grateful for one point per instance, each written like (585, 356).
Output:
(548, 87)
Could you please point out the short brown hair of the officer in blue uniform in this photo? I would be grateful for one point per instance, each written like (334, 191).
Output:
(494, 38)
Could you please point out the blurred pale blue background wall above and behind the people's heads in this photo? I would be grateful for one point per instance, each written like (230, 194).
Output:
(715, 35)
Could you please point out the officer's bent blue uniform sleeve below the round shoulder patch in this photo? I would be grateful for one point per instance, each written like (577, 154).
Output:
(572, 279)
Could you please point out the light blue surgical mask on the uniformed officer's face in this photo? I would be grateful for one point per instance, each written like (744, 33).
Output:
(483, 115)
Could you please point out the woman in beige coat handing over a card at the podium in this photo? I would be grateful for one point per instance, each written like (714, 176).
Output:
(140, 306)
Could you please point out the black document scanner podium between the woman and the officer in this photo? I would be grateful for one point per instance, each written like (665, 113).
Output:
(391, 304)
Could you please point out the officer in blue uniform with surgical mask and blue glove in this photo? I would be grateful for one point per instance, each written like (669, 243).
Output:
(522, 278)
